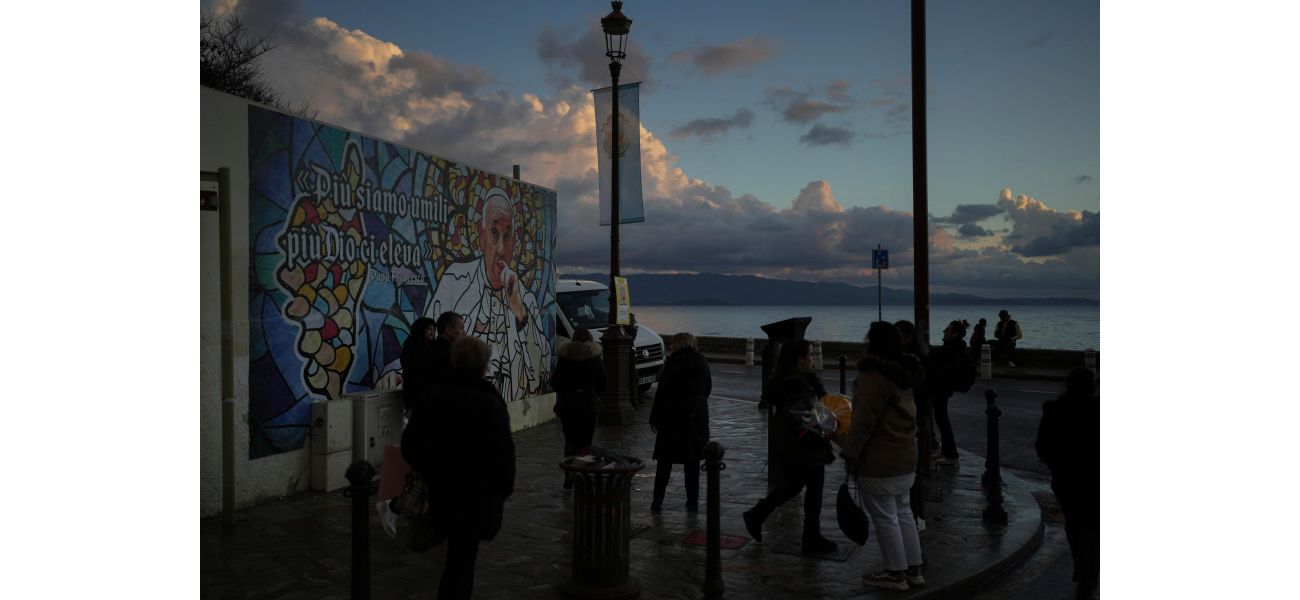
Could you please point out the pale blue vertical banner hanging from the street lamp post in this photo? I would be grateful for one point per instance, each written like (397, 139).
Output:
(629, 146)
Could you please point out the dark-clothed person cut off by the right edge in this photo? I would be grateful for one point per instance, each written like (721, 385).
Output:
(1069, 442)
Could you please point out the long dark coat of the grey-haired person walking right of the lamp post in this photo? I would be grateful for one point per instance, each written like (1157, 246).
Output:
(681, 411)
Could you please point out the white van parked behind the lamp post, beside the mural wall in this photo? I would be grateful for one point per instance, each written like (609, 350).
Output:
(587, 305)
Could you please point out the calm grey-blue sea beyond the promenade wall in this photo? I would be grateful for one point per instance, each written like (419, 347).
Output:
(1045, 327)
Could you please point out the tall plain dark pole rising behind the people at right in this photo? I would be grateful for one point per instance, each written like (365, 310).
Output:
(920, 190)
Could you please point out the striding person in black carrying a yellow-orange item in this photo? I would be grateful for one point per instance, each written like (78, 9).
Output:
(803, 453)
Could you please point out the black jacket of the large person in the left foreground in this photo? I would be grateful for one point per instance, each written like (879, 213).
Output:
(463, 447)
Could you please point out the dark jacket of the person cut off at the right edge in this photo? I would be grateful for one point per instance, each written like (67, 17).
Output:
(1069, 440)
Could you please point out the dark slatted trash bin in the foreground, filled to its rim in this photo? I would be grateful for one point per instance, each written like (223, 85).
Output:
(603, 521)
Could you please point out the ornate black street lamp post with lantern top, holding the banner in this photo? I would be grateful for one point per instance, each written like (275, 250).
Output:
(617, 408)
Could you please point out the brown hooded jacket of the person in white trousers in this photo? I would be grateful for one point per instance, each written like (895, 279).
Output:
(882, 440)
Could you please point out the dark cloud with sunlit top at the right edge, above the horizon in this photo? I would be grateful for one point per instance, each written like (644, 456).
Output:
(1039, 231)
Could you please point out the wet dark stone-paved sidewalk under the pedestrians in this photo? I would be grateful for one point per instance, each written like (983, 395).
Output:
(300, 547)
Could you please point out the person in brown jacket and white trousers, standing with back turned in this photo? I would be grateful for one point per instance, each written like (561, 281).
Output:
(881, 453)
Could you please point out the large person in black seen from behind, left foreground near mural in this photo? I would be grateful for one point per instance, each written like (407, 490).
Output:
(463, 449)
